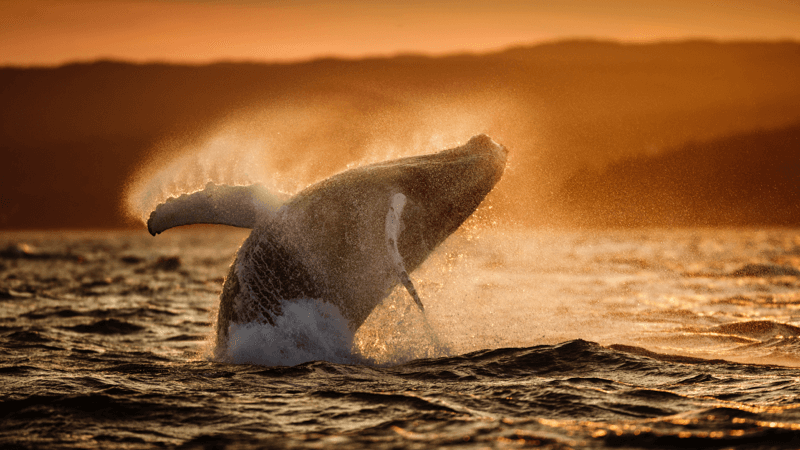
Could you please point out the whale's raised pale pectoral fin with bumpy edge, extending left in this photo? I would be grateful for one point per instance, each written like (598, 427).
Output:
(238, 206)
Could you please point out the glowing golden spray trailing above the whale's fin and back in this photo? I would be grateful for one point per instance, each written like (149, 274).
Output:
(291, 144)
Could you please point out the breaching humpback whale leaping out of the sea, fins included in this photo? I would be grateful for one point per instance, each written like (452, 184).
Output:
(348, 239)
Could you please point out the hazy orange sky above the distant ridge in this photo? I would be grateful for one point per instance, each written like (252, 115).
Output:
(34, 32)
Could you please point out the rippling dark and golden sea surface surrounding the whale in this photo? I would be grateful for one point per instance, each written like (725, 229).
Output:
(553, 339)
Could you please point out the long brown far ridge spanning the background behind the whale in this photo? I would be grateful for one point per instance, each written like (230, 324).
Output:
(72, 136)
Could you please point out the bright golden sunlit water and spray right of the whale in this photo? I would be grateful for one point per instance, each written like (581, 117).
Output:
(726, 294)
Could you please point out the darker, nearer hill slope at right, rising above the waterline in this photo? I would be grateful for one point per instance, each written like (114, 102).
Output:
(749, 179)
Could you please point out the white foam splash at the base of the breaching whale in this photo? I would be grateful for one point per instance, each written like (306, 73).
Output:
(308, 330)
